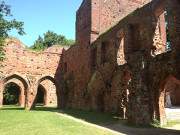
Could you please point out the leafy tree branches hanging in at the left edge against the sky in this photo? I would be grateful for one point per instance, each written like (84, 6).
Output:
(7, 25)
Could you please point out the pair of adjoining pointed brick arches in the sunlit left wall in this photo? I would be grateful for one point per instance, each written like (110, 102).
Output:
(16, 91)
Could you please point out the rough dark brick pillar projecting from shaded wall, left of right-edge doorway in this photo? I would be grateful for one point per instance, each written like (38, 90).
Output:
(139, 95)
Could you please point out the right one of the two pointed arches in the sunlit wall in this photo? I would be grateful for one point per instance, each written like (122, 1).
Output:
(46, 92)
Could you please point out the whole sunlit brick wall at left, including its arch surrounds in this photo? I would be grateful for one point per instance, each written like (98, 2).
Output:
(30, 69)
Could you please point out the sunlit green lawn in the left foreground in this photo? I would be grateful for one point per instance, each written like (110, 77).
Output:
(42, 121)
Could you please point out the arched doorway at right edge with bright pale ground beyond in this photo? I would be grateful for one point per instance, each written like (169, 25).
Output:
(166, 108)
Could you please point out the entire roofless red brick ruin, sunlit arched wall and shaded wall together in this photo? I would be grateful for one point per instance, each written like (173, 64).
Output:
(126, 60)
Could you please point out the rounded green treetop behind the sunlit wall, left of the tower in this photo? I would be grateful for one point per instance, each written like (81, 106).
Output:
(49, 39)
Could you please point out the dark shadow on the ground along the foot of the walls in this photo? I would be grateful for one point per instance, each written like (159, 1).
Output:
(106, 120)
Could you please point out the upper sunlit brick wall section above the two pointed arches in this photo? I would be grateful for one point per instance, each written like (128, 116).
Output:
(18, 59)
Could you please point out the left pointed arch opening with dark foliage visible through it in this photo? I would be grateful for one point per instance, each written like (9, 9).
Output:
(12, 94)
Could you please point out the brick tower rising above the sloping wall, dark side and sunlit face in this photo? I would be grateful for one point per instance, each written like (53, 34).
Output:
(96, 16)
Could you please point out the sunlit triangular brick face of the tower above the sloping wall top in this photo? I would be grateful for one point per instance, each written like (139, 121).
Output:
(111, 11)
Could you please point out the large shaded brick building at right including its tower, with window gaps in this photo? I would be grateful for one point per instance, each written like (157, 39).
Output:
(126, 69)
